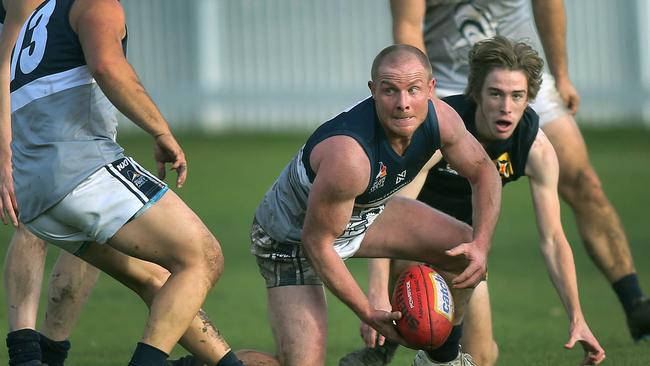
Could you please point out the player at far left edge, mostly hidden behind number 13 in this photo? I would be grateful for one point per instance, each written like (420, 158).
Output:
(71, 279)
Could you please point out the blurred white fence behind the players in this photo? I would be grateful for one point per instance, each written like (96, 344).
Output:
(215, 65)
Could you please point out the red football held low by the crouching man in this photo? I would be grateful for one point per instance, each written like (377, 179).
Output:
(424, 299)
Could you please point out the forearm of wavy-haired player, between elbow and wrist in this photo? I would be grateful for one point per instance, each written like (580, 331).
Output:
(561, 269)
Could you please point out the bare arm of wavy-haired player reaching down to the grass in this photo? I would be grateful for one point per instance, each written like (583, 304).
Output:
(543, 170)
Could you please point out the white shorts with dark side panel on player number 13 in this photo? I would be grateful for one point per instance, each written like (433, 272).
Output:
(99, 206)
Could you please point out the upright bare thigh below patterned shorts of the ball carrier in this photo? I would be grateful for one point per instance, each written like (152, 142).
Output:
(298, 317)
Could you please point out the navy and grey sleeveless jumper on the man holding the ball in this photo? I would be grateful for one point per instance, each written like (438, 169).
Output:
(281, 213)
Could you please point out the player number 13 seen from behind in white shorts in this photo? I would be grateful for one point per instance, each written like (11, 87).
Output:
(83, 190)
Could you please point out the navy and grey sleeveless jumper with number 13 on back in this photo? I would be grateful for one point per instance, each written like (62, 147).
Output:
(63, 126)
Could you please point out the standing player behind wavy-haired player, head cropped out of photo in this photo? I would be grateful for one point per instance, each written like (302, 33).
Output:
(448, 29)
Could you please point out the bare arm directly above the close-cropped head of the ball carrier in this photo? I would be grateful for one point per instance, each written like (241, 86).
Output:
(408, 16)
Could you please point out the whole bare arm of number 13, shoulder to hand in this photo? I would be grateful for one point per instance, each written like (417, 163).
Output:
(101, 39)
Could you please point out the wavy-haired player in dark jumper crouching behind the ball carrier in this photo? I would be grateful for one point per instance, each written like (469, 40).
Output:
(504, 78)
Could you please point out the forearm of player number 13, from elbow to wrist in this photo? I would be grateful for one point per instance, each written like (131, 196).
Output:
(122, 87)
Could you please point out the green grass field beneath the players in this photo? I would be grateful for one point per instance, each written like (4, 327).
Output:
(228, 175)
